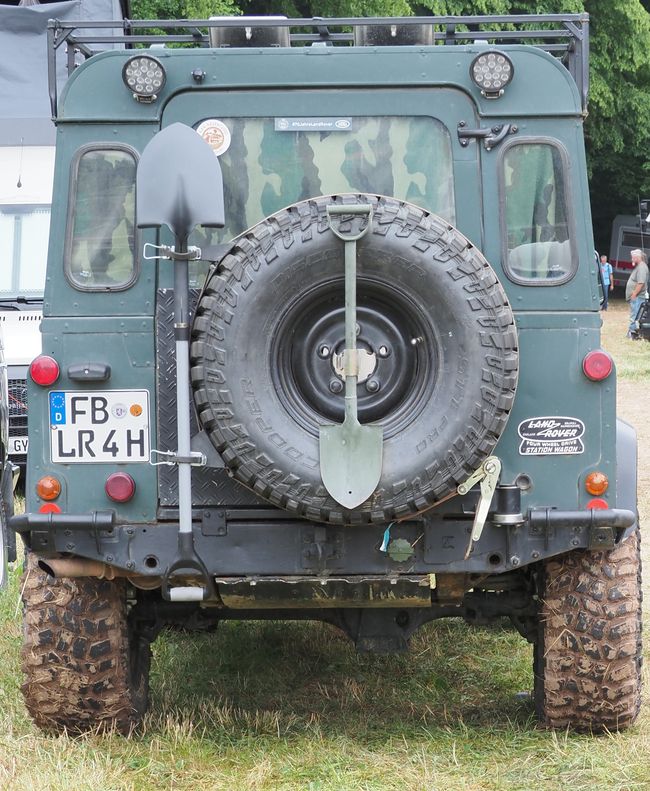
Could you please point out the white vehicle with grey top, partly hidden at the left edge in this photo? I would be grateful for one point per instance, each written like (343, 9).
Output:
(27, 166)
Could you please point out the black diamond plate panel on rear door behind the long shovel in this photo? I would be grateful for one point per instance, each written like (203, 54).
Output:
(210, 485)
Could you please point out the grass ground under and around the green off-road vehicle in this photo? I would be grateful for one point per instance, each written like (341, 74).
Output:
(266, 706)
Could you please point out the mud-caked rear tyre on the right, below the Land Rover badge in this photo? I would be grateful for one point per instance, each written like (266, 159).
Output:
(588, 653)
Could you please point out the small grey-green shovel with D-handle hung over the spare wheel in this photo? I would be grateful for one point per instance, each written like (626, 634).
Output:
(350, 454)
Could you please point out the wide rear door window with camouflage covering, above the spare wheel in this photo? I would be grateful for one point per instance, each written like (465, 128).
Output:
(270, 163)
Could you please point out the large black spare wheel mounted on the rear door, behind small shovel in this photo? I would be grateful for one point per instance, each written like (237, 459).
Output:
(432, 315)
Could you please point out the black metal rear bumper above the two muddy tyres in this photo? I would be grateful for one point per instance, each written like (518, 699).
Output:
(264, 542)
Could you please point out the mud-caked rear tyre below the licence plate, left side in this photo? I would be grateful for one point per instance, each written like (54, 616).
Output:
(84, 667)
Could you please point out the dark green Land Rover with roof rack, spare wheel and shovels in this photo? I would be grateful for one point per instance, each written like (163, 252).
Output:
(321, 341)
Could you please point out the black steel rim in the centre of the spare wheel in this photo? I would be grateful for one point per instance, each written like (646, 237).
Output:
(309, 346)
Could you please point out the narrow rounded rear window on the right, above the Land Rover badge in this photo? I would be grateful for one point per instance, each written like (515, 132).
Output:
(535, 214)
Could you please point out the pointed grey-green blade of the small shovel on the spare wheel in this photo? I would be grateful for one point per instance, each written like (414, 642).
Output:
(350, 461)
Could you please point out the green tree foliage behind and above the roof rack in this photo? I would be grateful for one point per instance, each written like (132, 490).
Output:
(618, 126)
